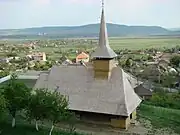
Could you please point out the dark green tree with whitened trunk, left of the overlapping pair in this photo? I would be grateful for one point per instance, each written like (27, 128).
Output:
(17, 95)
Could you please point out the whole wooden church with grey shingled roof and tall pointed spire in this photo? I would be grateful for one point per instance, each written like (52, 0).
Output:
(98, 92)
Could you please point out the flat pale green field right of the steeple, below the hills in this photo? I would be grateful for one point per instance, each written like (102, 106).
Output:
(143, 43)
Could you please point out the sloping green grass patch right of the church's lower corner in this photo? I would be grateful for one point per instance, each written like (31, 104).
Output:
(161, 117)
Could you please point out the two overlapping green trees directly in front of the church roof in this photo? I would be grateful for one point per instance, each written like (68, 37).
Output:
(48, 105)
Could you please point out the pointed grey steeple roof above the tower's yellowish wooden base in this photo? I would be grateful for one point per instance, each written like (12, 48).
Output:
(103, 50)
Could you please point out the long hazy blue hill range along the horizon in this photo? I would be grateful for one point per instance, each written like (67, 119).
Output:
(91, 30)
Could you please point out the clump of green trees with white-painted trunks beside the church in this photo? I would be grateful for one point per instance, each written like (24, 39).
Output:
(39, 105)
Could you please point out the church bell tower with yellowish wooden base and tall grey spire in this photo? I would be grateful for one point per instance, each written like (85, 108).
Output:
(103, 57)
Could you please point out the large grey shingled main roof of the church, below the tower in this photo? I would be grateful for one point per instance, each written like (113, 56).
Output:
(115, 96)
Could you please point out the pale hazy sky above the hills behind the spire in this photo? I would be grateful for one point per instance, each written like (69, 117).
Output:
(35, 13)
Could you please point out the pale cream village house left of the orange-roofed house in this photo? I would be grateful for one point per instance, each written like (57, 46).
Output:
(37, 56)
